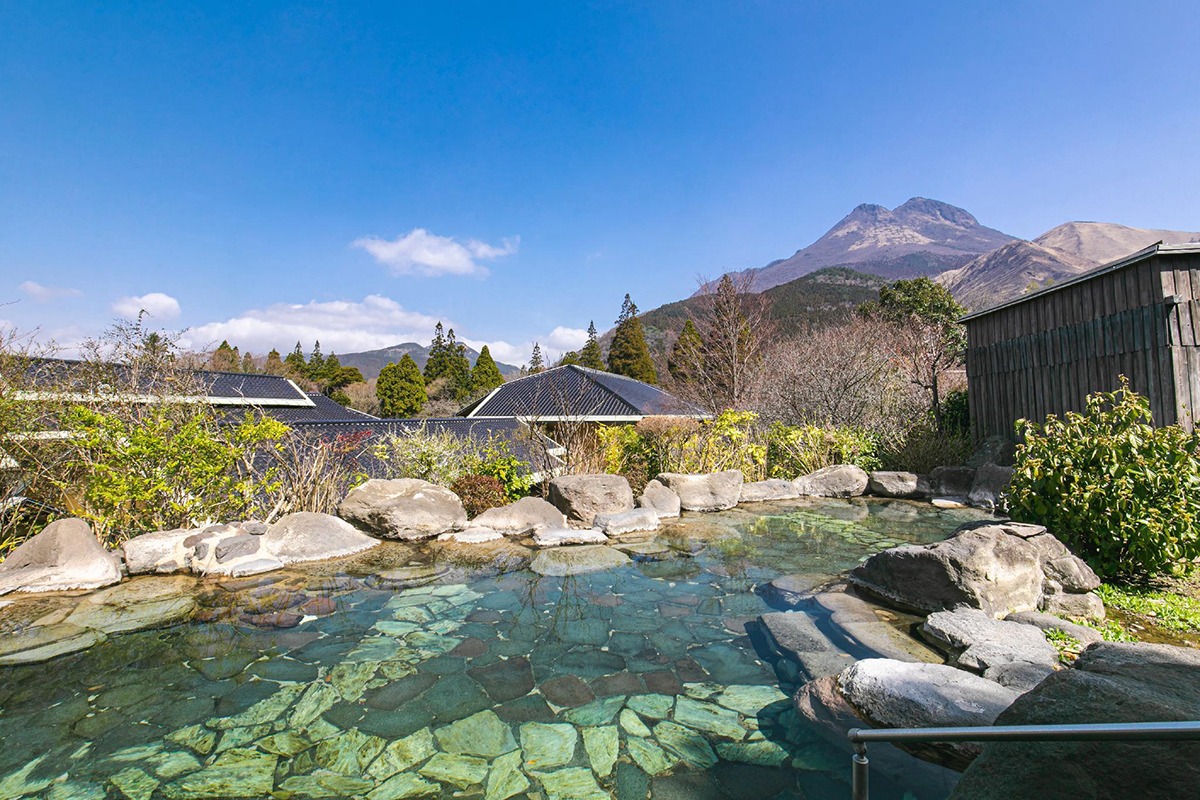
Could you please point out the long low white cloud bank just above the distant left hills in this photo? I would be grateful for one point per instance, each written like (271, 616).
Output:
(340, 326)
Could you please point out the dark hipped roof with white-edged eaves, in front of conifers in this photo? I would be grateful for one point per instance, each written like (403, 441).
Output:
(579, 393)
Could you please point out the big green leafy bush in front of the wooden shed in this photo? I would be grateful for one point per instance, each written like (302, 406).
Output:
(1121, 494)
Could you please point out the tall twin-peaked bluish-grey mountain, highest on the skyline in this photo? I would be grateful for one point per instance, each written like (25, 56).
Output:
(921, 237)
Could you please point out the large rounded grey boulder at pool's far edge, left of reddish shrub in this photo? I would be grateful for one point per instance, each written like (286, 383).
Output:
(405, 509)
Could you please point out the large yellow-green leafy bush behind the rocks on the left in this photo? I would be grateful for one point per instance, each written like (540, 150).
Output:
(155, 471)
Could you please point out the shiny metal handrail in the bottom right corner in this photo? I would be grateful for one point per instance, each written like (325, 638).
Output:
(1096, 732)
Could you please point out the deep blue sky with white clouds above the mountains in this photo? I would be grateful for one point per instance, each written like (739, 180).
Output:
(356, 172)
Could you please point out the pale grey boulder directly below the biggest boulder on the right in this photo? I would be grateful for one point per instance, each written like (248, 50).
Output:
(1017, 655)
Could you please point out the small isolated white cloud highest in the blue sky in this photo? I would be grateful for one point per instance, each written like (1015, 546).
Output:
(419, 252)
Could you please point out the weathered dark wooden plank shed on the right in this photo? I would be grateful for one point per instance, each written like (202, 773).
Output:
(1046, 352)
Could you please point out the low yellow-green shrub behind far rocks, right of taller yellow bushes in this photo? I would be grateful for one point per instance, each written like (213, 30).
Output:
(795, 450)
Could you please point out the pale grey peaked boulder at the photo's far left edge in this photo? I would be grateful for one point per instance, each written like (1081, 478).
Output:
(64, 556)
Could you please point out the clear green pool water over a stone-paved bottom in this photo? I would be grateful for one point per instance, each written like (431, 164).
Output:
(363, 702)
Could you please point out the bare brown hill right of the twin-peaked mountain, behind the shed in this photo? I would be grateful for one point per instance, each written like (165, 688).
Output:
(1059, 255)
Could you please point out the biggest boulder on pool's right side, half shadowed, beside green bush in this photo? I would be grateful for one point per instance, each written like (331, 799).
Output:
(998, 568)
